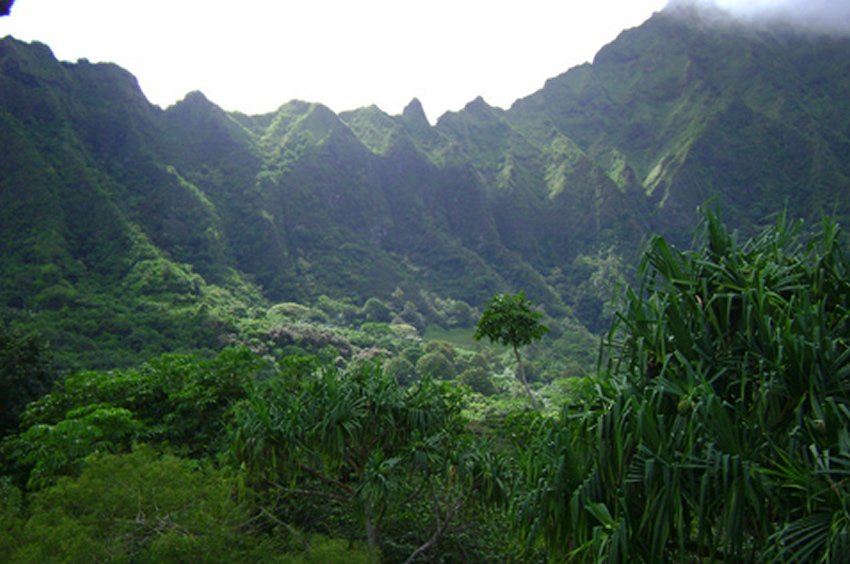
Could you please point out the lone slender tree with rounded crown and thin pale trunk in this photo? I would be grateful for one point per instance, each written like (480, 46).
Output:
(510, 320)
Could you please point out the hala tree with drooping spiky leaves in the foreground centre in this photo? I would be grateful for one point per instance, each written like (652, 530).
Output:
(358, 440)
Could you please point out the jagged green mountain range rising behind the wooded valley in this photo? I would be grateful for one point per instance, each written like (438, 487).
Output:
(124, 226)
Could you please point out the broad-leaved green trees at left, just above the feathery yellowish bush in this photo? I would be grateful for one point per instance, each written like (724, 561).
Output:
(176, 400)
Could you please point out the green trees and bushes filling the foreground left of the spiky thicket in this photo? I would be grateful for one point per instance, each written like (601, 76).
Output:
(186, 457)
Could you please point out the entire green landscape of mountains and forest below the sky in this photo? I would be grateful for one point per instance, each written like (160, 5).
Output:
(610, 323)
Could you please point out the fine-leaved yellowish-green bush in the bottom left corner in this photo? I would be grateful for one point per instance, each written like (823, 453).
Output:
(146, 507)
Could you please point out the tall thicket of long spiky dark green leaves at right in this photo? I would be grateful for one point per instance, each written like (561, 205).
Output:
(721, 432)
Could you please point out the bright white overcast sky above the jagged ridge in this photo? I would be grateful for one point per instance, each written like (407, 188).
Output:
(254, 55)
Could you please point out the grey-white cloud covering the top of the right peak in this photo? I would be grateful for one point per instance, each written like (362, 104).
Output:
(823, 16)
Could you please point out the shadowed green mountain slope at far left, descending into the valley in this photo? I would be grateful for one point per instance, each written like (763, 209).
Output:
(102, 244)
